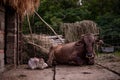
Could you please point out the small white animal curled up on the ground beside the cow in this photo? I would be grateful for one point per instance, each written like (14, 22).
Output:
(34, 63)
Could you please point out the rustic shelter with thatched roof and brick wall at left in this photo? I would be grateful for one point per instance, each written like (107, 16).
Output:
(12, 13)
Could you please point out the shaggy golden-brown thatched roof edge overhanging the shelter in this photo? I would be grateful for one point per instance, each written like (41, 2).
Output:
(22, 6)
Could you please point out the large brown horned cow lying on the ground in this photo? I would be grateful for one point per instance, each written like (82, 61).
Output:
(78, 53)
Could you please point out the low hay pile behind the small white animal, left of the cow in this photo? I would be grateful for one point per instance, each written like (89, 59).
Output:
(39, 46)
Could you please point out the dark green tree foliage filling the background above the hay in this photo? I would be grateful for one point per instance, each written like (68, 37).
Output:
(106, 13)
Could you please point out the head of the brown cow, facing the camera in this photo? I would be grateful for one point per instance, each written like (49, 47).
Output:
(89, 41)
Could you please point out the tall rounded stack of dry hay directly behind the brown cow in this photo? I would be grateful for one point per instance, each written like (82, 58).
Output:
(73, 31)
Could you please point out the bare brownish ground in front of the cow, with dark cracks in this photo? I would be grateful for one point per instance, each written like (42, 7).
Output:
(67, 72)
